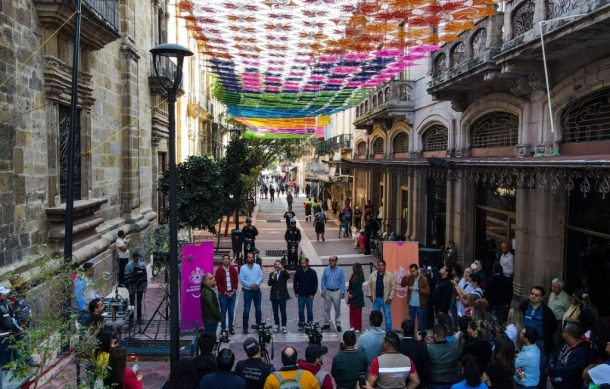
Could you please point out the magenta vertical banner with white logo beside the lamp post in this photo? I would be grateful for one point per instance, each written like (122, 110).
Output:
(197, 259)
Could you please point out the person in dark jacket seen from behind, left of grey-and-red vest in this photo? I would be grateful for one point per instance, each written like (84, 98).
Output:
(349, 366)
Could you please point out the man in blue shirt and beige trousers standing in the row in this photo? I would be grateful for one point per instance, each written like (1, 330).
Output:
(333, 290)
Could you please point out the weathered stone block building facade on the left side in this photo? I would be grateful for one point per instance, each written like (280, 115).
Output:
(122, 127)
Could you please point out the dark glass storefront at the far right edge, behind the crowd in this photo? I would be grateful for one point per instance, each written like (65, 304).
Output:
(587, 263)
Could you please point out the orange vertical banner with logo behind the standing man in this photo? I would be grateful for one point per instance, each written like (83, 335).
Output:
(399, 256)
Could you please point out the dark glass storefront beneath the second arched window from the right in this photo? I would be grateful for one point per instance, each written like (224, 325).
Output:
(495, 222)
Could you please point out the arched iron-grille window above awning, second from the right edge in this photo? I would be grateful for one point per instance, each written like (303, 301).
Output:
(495, 129)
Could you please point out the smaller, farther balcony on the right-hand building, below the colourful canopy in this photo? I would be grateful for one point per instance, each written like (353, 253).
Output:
(388, 101)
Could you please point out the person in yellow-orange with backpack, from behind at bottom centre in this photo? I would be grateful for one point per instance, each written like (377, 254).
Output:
(290, 376)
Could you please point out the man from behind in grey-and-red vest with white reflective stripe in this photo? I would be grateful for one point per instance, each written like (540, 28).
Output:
(392, 369)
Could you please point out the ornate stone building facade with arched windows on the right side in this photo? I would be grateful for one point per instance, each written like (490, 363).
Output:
(484, 162)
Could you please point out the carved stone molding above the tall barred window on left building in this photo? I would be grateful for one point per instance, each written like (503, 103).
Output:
(58, 82)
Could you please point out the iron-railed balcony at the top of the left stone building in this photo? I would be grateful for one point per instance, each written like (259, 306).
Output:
(100, 19)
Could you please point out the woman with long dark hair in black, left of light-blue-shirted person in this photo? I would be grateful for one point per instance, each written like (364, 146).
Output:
(499, 373)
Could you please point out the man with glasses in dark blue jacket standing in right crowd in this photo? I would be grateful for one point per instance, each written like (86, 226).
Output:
(540, 317)
